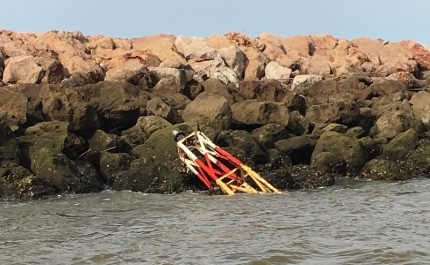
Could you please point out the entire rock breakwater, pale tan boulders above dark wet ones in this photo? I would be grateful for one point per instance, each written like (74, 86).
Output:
(82, 114)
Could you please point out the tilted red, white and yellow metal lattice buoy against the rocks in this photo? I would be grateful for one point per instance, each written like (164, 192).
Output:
(210, 162)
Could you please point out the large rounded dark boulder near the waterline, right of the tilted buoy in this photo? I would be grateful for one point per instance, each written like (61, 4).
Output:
(341, 145)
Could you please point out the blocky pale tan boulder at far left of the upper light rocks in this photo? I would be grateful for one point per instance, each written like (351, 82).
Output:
(21, 70)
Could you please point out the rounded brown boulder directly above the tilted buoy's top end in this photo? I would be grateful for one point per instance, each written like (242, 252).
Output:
(211, 112)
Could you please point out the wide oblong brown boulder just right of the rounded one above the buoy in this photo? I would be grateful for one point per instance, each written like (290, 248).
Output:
(253, 112)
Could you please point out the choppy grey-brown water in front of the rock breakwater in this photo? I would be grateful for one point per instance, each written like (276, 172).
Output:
(353, 223)
